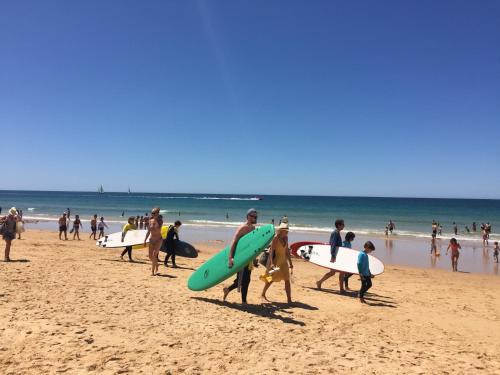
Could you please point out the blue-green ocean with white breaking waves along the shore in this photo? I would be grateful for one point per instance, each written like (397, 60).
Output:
(363, 215)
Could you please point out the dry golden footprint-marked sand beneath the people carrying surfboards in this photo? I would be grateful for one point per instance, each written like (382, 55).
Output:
(69, 307)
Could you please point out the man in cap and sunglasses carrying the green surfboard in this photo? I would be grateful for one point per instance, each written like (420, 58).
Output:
(242, 280)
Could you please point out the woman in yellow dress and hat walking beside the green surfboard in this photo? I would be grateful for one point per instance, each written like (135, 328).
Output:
(277, 263)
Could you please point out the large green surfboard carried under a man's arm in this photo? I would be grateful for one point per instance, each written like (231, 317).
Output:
(215, 270)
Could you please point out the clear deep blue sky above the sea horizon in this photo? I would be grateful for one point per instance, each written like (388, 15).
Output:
(372, 98)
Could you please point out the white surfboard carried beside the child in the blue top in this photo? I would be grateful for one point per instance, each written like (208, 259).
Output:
(346, 261)
